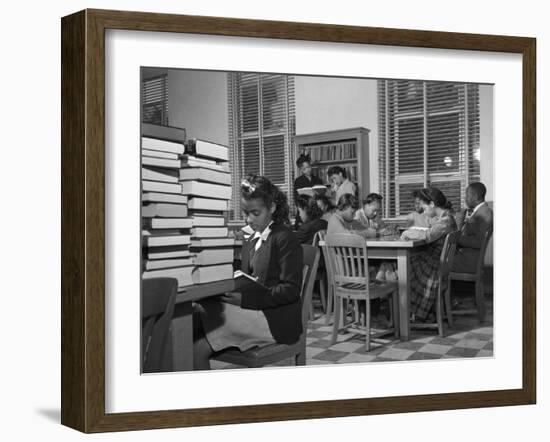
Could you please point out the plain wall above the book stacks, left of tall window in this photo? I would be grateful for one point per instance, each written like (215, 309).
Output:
(193, 95)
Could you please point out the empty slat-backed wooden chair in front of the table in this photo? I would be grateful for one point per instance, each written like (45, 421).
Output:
(350, 269)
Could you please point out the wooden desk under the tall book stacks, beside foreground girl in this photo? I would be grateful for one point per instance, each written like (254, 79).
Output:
(182, 321)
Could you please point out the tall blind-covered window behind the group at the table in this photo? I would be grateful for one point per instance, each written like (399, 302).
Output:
(429, 136)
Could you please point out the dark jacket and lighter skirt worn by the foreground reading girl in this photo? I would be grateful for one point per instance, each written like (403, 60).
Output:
(261, 319)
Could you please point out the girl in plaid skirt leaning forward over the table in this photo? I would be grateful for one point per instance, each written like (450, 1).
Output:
(425, 265)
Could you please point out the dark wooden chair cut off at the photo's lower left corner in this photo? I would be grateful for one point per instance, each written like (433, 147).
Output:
(157, 308)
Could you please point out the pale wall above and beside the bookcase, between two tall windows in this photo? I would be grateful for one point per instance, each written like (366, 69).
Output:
(324, 104)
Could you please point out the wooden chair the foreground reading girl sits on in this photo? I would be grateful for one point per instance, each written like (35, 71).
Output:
(260, 356)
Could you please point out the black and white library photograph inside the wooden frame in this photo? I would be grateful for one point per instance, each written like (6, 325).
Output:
(295, 220)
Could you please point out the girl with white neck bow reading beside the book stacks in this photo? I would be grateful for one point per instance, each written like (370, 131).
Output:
(273, 255)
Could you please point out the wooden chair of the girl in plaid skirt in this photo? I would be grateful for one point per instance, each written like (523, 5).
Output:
(443, 299)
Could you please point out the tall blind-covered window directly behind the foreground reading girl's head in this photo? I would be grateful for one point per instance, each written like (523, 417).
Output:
(261, 130)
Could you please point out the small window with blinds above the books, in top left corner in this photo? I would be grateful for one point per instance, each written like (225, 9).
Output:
(154, 100)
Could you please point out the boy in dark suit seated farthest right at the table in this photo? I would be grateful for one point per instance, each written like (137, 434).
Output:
(473, 224)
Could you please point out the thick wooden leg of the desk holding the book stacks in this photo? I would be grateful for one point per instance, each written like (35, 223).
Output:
(182, 337)
